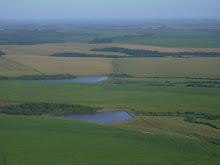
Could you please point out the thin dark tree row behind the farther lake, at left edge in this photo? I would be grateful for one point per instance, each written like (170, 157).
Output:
(39, 77)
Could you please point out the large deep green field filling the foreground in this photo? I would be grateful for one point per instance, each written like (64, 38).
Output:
(37, 140)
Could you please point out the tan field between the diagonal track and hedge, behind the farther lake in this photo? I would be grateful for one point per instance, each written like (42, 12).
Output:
(66, 65)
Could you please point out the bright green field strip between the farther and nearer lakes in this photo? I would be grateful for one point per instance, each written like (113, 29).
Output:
(158, 99)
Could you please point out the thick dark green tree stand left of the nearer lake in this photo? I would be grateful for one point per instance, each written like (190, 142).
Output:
(39, 109)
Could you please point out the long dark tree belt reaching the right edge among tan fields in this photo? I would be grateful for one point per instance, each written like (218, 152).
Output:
(149, 53)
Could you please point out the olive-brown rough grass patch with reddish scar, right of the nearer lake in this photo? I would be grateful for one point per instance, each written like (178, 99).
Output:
(170, 126)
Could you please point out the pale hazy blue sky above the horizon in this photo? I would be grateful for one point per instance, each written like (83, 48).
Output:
(109, 9)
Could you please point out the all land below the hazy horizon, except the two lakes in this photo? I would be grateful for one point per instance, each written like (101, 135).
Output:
(174, 100)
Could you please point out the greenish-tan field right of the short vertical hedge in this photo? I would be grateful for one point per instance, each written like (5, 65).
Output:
(205, 67)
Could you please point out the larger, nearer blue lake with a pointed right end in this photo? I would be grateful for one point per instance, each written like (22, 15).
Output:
(101, 117)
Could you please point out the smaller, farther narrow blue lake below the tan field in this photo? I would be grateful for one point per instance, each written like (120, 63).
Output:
(79, 79)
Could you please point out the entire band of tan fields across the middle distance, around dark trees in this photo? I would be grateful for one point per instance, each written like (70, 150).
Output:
(35, 59)
